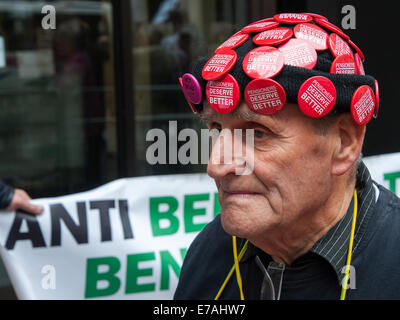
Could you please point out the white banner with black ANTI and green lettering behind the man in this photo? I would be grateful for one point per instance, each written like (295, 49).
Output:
(124, 240)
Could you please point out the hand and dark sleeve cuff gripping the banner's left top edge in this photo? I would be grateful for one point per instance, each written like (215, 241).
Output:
(16, 199)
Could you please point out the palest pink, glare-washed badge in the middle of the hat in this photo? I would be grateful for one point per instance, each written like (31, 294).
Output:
(299, 53)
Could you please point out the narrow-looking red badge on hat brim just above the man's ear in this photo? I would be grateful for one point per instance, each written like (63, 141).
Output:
(362, 105)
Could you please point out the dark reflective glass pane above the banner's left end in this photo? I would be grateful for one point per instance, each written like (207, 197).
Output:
(57, 110)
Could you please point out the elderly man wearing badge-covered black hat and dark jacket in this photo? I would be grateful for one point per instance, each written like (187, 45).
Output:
(306, 221)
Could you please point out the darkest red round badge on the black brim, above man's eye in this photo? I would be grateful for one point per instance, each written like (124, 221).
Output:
(265, 96)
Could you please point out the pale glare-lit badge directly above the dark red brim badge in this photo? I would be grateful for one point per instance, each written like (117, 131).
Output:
(263, 62)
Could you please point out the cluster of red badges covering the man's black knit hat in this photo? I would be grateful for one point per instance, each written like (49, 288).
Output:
(278, 45)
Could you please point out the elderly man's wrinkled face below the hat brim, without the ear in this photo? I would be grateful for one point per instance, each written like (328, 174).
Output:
(291, 178)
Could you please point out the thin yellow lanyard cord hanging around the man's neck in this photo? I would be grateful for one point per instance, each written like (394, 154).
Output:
(238, 258)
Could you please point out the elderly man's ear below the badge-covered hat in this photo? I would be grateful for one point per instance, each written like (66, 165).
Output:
(350, 138)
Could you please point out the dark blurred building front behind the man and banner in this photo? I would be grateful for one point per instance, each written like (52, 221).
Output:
(76, 102)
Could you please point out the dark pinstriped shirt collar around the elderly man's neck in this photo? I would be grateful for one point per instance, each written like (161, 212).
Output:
(333, 246)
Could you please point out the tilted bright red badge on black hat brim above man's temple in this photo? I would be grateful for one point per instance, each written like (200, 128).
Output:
(317, 96)
